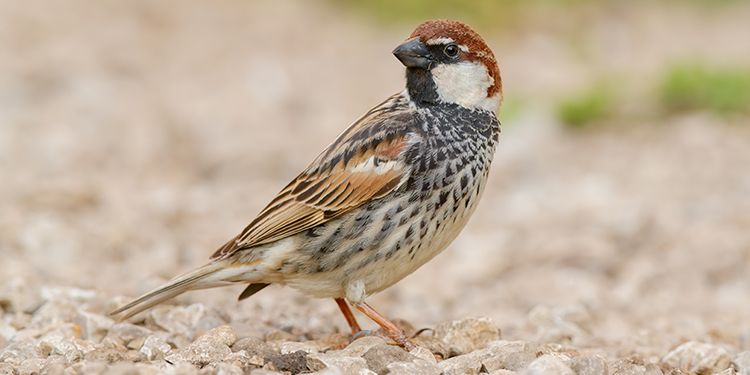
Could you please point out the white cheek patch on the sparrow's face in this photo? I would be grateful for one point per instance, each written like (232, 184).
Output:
(465, 83)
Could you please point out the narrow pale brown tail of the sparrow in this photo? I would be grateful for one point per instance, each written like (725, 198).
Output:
(214, 274)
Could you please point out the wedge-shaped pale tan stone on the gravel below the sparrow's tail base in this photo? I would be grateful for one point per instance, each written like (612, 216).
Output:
(213, 346)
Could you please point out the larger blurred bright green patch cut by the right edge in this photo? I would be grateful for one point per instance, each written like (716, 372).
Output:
(703, 88)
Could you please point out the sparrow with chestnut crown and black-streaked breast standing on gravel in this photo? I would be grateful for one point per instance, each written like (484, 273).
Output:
(389, 194)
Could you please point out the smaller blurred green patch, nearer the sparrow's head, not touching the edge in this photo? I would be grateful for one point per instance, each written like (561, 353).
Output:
(587, 108)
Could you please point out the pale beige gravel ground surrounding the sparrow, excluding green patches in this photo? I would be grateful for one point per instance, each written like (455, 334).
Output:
(136, 137)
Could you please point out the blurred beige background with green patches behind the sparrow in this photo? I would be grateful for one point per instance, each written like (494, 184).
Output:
(138, 136)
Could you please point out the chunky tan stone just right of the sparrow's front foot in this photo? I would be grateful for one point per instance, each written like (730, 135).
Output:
(467, 335)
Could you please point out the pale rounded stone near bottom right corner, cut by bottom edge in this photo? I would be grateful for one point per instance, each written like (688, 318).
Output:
(698, 357)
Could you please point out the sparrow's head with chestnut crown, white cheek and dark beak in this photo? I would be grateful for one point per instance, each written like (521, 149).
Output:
(446, 61)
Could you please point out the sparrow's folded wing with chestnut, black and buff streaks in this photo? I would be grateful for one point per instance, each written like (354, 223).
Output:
(366, 162)
